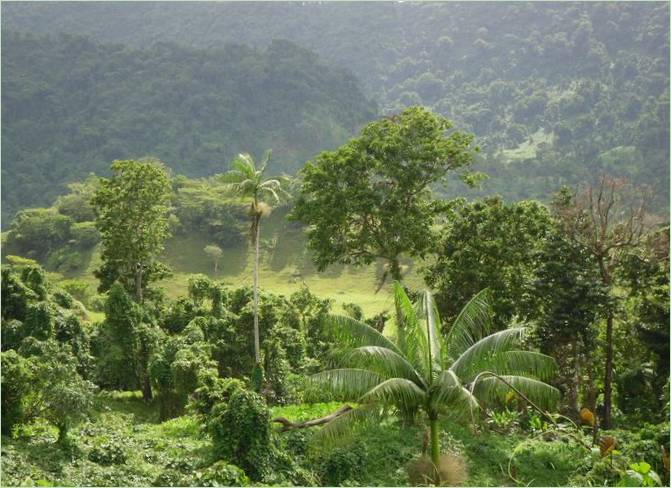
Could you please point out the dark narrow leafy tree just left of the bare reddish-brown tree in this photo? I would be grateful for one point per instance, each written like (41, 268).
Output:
(565, 298)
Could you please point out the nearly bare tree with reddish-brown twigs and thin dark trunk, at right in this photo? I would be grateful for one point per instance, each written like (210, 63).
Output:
(607, 218)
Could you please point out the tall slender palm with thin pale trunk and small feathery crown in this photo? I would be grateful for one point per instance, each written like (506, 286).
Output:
(246, 180)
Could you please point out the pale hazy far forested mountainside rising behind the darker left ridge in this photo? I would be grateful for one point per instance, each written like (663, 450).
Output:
(554, 92)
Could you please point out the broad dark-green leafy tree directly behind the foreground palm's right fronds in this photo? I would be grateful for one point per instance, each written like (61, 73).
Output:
(487, 243)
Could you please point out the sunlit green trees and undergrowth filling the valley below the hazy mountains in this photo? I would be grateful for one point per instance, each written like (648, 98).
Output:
(545, 336)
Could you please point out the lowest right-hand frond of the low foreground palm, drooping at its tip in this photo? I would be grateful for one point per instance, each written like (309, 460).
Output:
(492, 388)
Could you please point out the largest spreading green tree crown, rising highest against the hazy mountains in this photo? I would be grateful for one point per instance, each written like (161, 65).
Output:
(371, 198)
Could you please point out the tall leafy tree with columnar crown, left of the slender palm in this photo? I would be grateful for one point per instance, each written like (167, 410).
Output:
(132, 216)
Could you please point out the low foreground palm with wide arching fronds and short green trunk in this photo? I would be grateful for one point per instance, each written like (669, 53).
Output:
(424, 372)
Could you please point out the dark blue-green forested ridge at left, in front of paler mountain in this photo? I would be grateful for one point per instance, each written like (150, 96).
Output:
(70, 106)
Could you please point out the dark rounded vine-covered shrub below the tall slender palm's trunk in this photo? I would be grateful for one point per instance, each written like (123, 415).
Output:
(240, 432)
